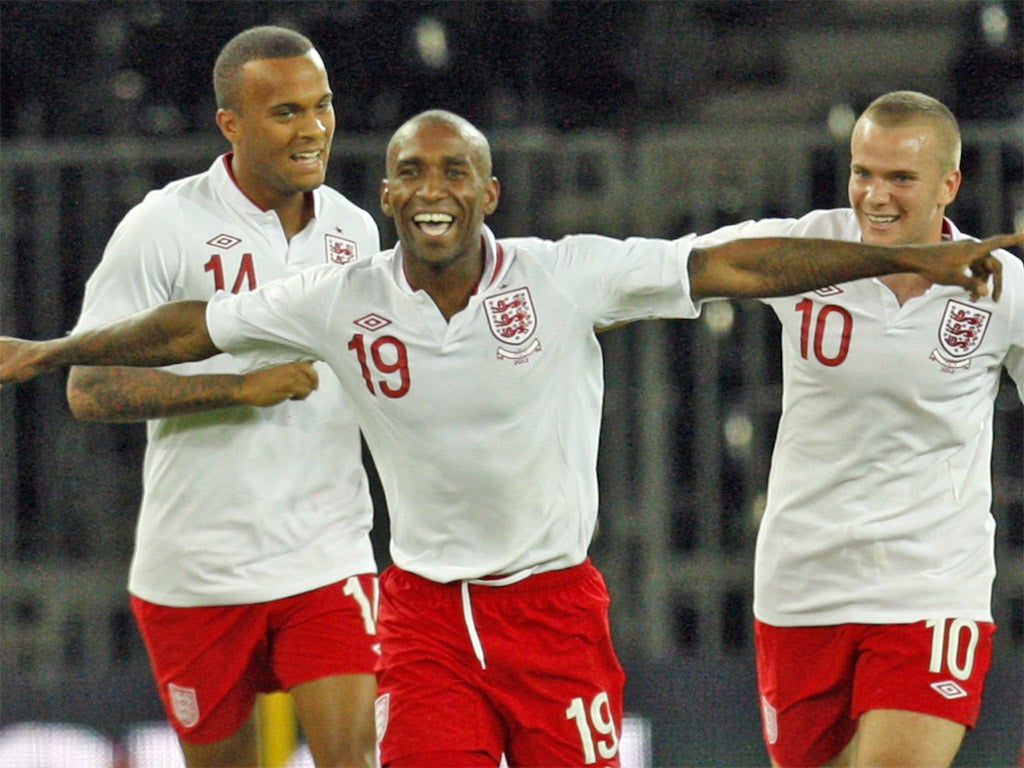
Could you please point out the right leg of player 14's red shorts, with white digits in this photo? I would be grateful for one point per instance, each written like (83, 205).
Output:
(324, 632)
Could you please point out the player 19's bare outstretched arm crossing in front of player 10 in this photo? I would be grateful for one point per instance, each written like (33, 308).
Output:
(783, 267)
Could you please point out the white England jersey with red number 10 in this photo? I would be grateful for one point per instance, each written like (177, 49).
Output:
(880, 492)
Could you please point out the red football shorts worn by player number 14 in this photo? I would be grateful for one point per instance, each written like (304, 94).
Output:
(210, 662)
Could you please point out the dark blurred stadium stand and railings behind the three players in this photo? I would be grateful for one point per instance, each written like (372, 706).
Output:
(623, 118)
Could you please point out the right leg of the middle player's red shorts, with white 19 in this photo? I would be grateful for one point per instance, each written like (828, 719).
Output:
(552, 667)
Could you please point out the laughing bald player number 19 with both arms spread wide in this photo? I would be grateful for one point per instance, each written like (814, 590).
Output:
(477, 375)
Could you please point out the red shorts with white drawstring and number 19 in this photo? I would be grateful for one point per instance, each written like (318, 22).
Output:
(471, 672)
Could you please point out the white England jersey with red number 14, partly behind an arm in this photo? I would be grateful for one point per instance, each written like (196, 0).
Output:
(241, 505)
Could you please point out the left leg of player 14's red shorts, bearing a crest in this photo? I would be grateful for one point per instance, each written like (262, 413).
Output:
(208, 663)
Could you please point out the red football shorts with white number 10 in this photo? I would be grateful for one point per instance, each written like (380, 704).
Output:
(817, 681)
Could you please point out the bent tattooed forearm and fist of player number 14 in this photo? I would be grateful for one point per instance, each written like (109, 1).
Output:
(127, 395)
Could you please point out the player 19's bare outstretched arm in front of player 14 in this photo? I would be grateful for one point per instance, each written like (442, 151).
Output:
(164, 335)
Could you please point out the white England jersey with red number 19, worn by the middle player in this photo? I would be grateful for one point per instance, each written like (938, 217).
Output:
(488, 447)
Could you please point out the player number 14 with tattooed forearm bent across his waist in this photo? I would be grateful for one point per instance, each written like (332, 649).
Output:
(253, 567)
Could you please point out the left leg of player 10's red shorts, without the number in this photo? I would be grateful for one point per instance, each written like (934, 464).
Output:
(806, 680)
